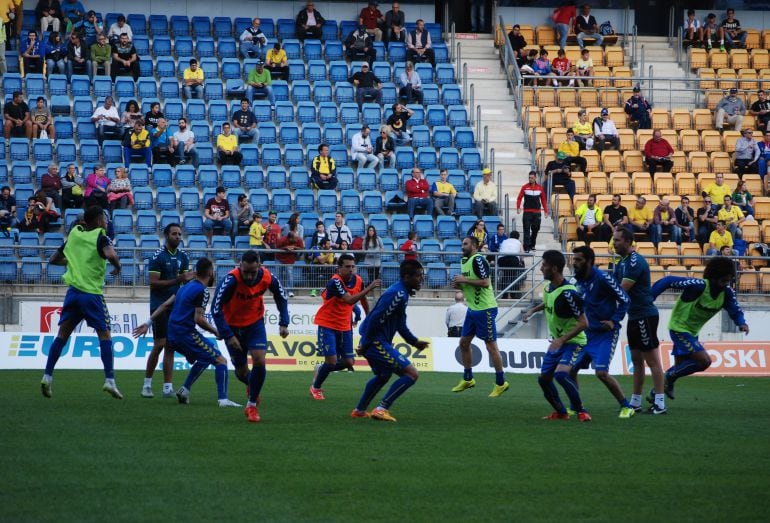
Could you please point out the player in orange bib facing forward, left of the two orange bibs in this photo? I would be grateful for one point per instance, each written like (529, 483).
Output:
(239, 313)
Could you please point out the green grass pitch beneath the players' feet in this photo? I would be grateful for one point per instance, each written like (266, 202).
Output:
(83, 456)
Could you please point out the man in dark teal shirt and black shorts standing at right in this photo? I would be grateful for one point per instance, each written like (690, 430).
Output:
(633, 274)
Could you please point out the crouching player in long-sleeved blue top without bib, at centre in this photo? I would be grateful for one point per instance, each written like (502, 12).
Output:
(377, 330)
